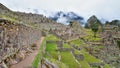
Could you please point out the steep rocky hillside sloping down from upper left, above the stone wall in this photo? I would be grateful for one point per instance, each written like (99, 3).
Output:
(30, 19)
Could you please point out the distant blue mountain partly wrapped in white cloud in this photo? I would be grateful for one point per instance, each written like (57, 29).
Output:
(66, 17)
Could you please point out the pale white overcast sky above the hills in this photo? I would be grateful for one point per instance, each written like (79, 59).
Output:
(107, 9)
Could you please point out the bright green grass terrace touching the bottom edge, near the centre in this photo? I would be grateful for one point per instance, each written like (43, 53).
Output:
(68, 59)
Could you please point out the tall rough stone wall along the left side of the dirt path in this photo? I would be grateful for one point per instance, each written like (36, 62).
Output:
(14, 39)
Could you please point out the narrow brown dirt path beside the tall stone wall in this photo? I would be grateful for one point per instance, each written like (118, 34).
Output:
(26, 63)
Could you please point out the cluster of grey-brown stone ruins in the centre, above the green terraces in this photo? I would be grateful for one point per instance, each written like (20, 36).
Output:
(66, 34)
